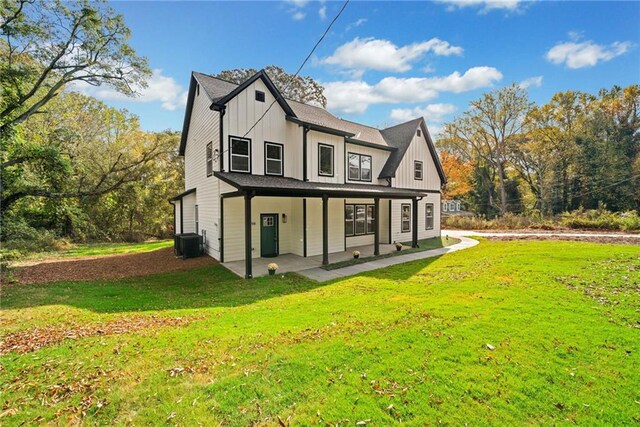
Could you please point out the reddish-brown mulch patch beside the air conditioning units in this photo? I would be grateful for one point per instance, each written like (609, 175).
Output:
(107, 267)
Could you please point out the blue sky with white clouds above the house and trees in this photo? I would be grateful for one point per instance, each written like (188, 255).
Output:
(385, 62)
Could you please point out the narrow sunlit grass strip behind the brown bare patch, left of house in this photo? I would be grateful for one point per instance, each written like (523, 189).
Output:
(103, 249)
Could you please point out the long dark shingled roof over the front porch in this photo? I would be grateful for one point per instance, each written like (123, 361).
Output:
(278, 186)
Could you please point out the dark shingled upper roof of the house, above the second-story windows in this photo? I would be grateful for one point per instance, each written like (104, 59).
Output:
(396, 138)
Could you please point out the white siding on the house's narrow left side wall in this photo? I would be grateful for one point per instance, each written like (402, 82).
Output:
(203, 129)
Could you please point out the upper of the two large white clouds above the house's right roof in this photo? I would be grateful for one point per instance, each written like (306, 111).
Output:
(383, 55)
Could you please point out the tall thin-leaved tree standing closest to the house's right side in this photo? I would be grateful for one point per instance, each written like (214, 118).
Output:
(487, 132)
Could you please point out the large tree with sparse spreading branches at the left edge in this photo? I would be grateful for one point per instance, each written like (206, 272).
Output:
(44, 46)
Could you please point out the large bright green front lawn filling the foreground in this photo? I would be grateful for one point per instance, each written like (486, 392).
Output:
(406, 343)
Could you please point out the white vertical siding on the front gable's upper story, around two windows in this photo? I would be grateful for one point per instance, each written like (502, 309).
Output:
(243, 111)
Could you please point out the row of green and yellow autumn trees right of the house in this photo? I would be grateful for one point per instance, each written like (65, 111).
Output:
(506, 154)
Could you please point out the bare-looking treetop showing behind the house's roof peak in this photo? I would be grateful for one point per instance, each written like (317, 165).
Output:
(301, 89)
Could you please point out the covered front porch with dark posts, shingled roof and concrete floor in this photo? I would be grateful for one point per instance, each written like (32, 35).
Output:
(250, 186)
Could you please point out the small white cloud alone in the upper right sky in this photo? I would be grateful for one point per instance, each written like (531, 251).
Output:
(579, 54)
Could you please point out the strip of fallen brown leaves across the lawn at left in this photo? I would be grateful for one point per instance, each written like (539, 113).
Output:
(34, 339)
